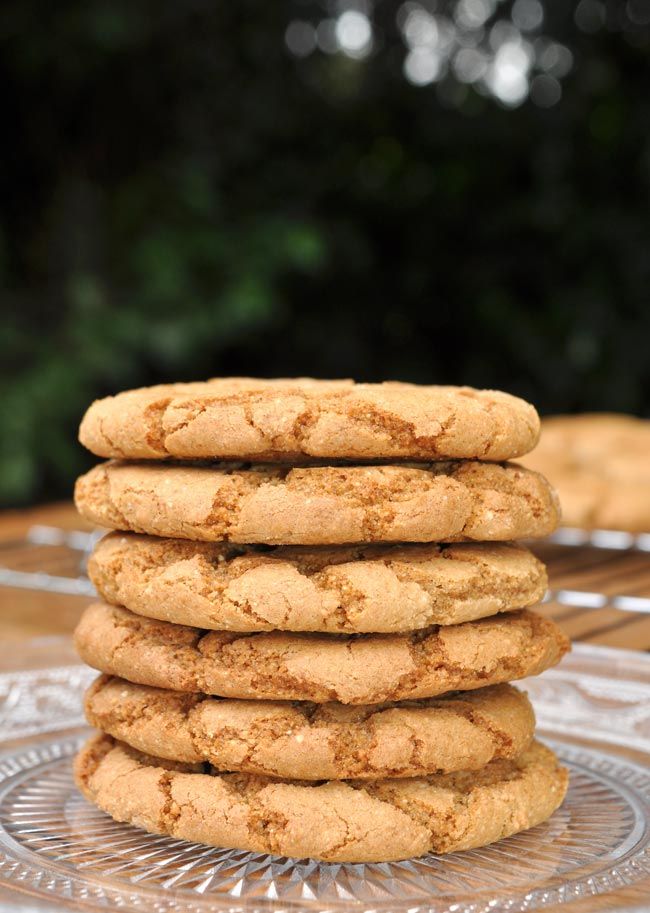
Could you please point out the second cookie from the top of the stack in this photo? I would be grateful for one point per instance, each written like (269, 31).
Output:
(439, 502)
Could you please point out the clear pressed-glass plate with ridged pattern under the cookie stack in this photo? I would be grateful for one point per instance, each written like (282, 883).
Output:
(594, 709)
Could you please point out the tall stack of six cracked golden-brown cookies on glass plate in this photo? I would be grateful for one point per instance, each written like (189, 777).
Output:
(308, 653)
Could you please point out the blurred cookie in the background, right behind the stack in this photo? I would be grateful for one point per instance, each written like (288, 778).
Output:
(601, 467)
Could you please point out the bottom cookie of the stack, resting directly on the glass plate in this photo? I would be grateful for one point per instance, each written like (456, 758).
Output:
(336, 821)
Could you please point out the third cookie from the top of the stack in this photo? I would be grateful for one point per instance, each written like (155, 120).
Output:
(340, 590)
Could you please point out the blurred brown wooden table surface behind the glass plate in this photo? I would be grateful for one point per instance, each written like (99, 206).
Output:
(29, 613)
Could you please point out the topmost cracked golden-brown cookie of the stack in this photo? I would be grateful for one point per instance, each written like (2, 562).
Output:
(301, 418)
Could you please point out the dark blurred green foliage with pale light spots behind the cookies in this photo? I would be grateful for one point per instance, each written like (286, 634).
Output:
(450, 192)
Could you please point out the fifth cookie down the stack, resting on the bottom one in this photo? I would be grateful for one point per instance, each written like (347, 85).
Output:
(316, 741)
